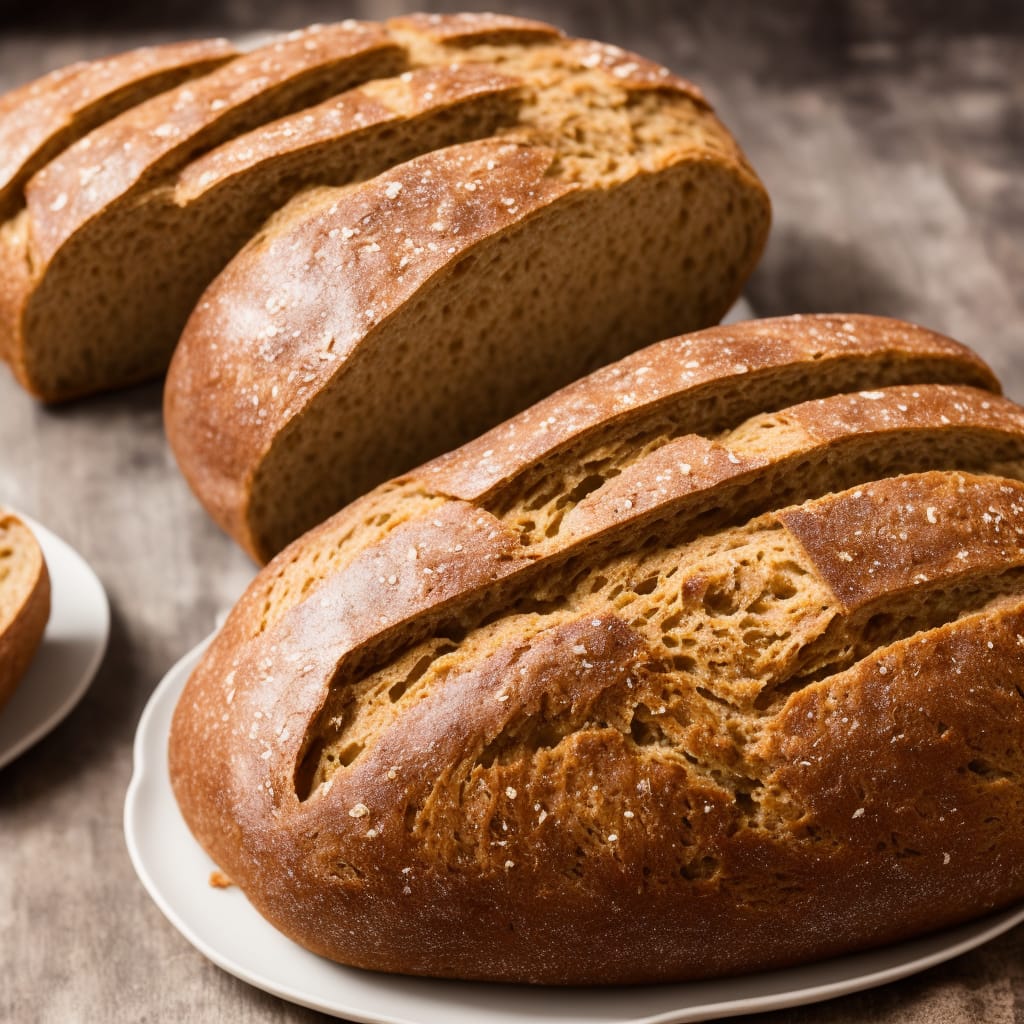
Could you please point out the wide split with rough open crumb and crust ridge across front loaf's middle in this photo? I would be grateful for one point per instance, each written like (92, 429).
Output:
(767, 584)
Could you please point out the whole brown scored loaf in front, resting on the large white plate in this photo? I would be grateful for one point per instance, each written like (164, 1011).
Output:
(722, 638)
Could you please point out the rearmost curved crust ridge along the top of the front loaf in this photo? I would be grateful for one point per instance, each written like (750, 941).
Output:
(690, 369)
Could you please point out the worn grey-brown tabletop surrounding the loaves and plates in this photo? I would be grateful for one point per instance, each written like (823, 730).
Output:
(893, 147)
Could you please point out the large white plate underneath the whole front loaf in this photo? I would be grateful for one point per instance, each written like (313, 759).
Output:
(224, 927)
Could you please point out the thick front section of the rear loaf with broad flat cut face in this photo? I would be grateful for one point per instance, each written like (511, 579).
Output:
(369, 328)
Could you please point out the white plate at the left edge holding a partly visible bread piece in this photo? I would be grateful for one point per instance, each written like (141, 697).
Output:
(70, 654)
